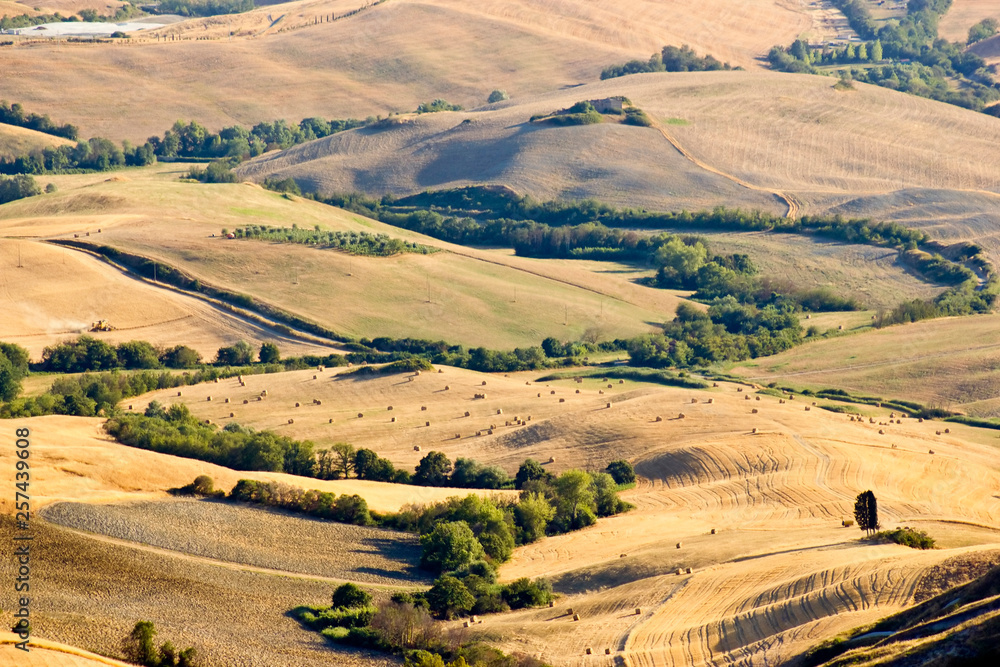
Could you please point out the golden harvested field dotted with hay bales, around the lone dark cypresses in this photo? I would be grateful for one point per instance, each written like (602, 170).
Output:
(779, 574)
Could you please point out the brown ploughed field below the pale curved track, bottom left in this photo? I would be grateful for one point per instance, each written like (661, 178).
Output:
(90, 594)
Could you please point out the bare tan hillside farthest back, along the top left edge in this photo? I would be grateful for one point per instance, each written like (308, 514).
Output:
(374, 62)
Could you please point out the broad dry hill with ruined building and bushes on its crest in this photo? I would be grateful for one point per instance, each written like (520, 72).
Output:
(735, 138)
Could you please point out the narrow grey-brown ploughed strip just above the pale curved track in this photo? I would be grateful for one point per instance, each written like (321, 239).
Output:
(253, 536)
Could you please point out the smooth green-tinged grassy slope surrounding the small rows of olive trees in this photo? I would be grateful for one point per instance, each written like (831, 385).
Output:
(476, 297)
